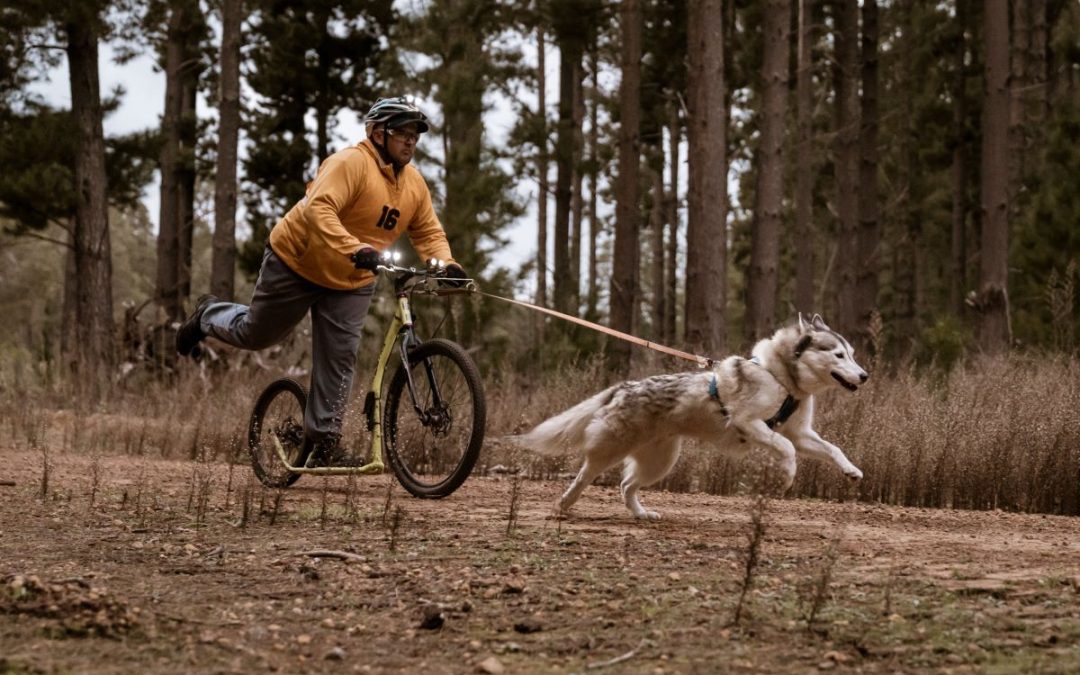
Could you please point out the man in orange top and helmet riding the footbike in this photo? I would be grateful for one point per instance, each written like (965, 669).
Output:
(322, 258)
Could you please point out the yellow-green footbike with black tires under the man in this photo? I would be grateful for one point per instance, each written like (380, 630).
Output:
(428, 422)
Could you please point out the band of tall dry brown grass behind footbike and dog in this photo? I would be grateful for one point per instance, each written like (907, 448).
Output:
(996, 435)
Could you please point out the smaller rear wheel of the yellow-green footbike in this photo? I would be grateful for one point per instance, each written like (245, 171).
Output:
(279, 410)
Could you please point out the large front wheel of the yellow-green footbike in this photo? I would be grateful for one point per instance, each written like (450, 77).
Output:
(434, 441)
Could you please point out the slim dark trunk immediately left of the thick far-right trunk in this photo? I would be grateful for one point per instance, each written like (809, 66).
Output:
(958, 260)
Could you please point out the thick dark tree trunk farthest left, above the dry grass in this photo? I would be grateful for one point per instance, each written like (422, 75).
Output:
(94, 328)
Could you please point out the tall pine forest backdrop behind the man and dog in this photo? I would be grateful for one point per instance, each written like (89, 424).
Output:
(697, 172)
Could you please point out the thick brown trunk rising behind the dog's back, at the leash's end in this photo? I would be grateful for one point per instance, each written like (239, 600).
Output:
(708, 192)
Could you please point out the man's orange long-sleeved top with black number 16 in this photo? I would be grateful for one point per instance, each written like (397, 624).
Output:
(356, 200)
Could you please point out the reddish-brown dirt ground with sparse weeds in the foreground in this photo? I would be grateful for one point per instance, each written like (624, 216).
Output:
(138, 565)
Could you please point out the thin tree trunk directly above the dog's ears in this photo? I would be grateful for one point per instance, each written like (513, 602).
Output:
(804, 168)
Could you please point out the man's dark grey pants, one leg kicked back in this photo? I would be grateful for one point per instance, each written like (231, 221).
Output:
(280, 302)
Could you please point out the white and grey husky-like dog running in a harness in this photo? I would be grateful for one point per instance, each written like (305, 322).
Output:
(766, 401)
